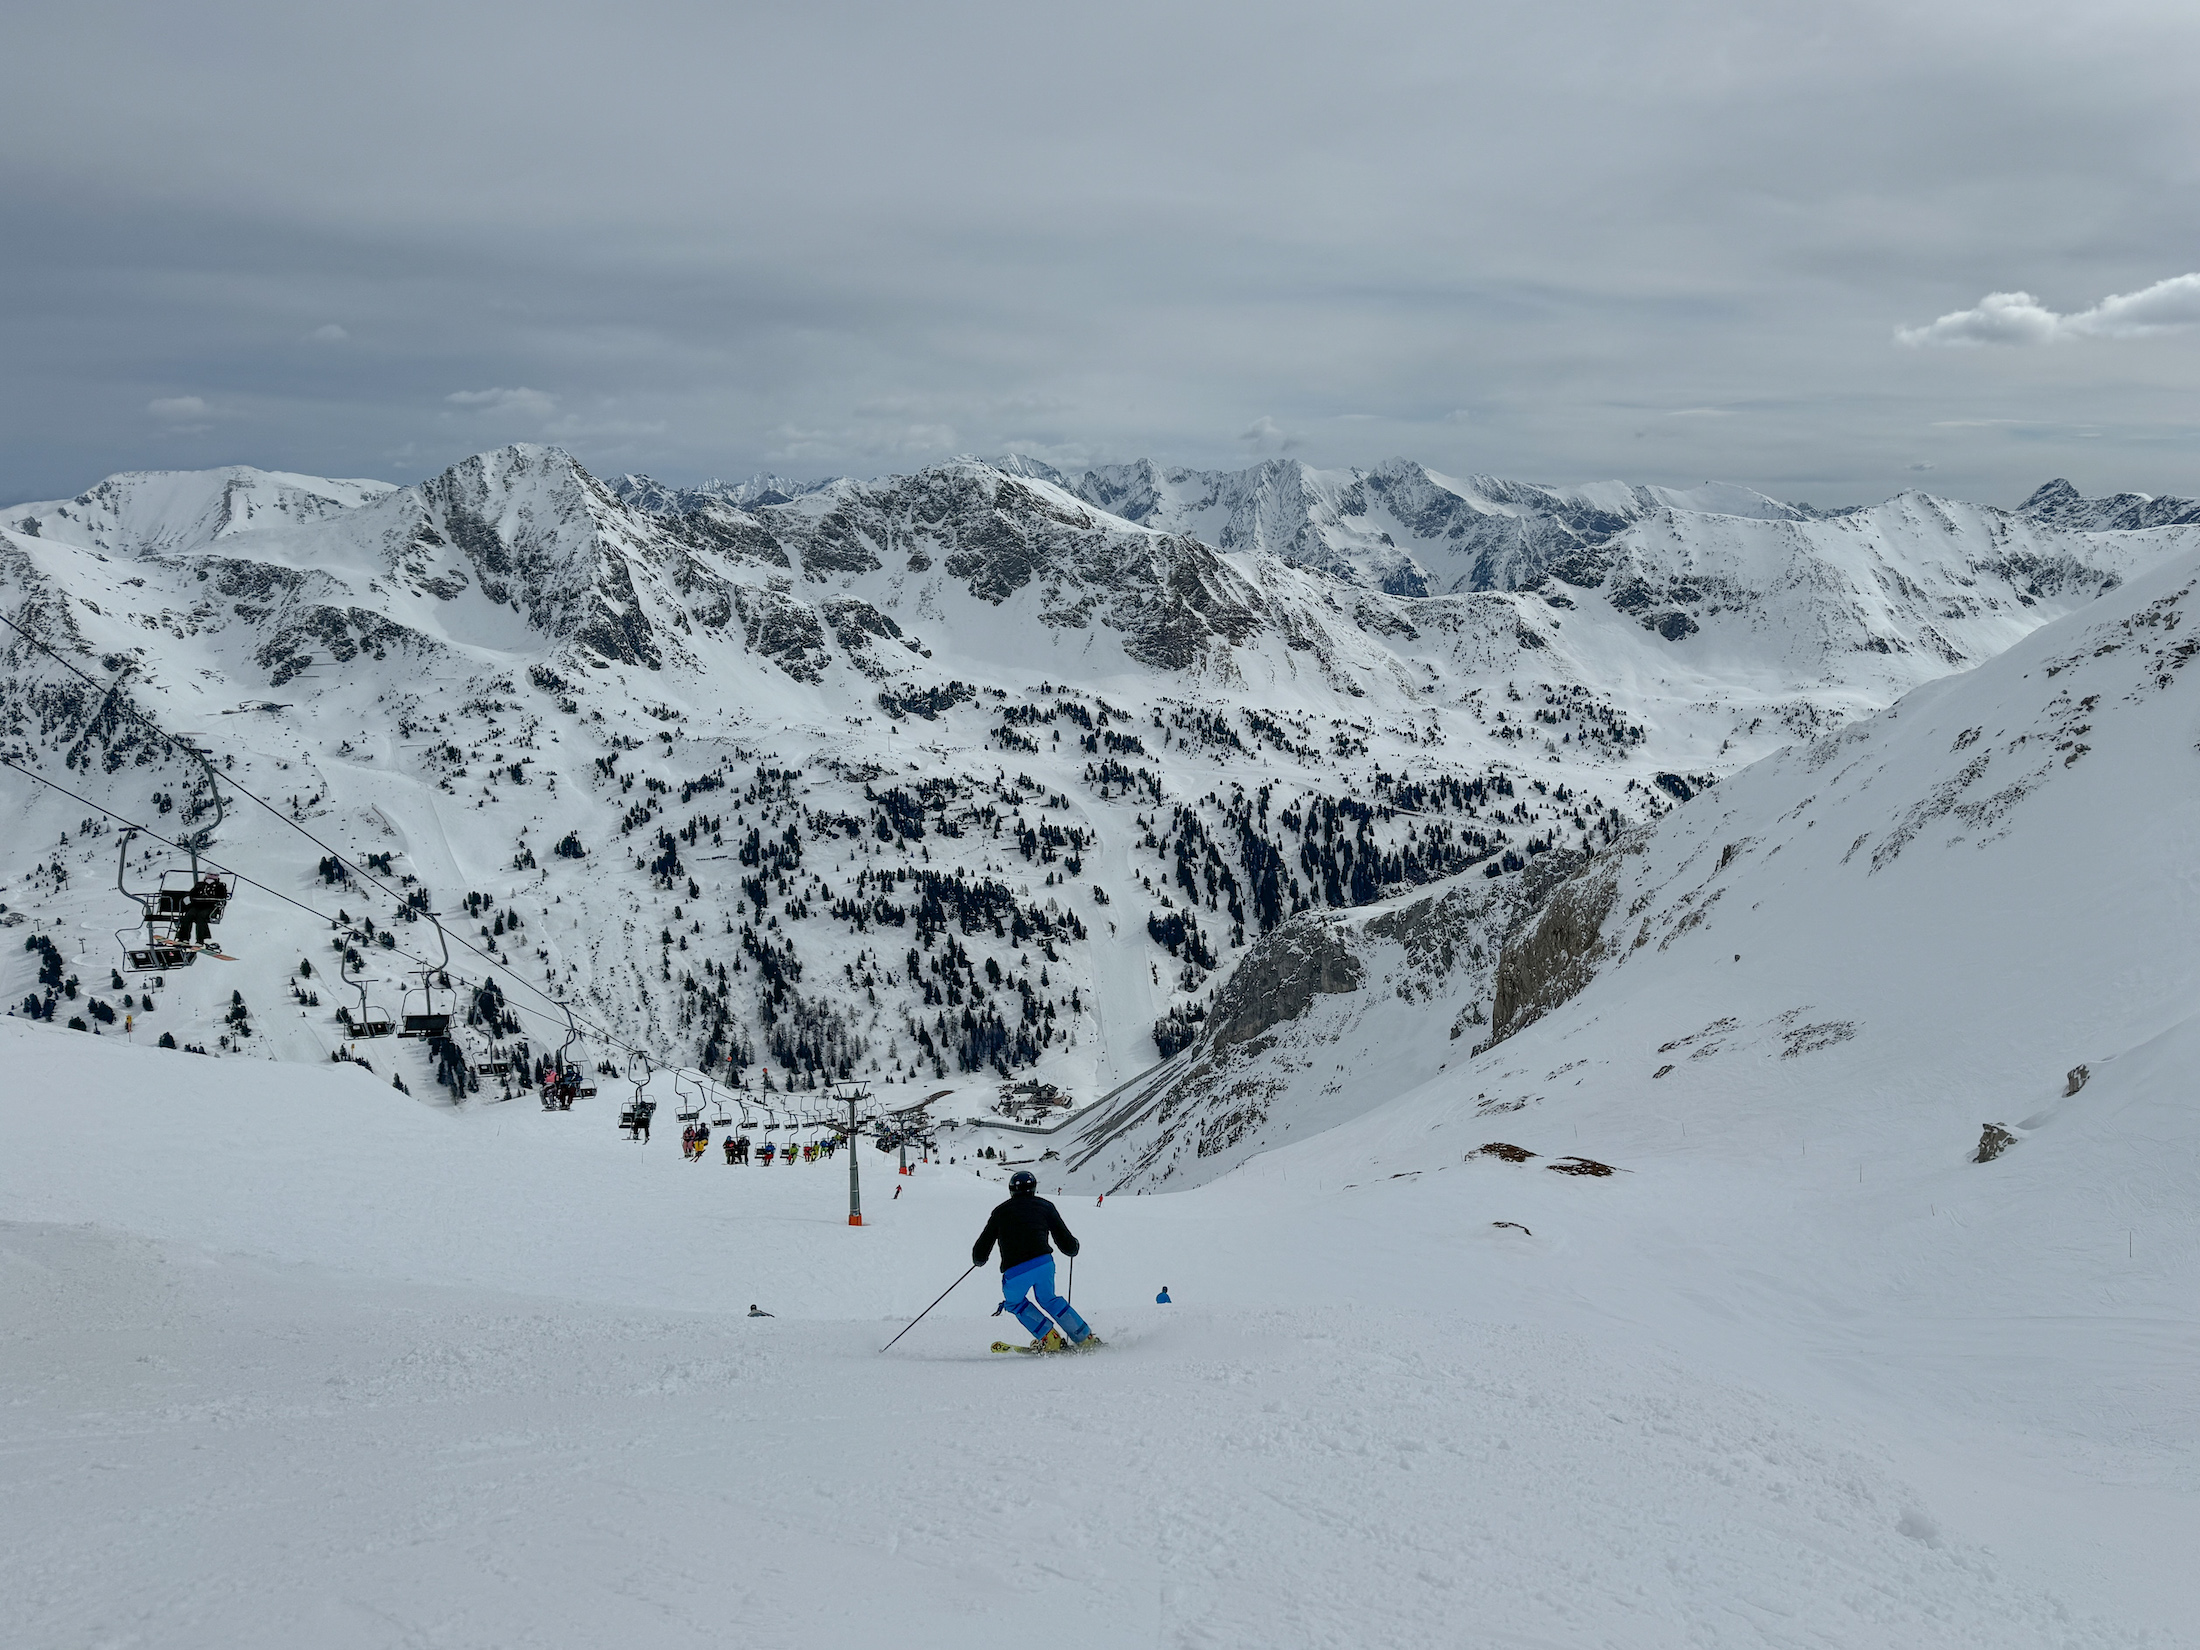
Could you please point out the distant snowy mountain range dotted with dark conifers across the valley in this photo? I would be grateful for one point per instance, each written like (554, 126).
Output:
(978, 771)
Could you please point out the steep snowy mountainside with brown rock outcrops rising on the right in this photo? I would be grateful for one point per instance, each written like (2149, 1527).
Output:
(1955, 916)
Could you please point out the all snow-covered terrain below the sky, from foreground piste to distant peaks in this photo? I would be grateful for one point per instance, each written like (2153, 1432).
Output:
(1647, 1033)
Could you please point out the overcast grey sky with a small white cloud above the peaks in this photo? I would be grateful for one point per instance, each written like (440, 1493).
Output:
(1559, 241)
